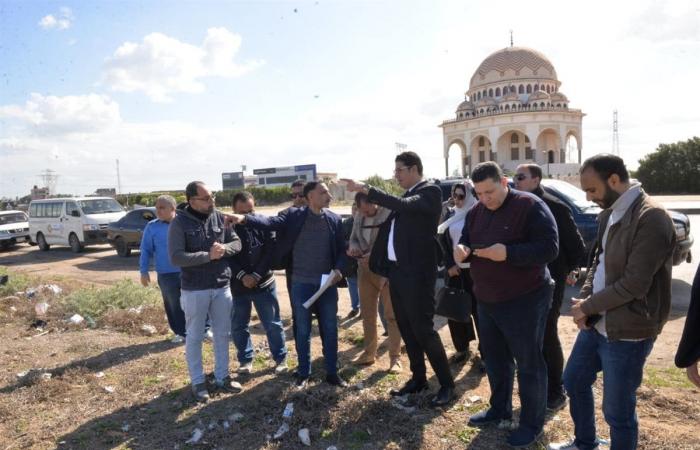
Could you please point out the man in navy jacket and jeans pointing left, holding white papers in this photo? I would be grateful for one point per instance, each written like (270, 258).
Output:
(313, 235)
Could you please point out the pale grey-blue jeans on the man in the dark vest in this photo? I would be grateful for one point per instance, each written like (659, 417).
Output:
(216, 303)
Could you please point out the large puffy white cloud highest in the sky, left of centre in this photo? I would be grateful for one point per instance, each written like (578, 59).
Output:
(161, 65)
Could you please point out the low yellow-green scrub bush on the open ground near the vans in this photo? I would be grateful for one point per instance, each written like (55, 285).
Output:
(95, 302)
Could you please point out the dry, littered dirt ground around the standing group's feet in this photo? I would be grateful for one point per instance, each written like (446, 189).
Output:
(110, 389)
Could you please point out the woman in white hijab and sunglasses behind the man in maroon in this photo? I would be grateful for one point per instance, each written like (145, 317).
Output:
(457, 275)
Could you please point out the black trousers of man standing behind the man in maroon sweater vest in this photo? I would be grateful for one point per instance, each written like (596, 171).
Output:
(553, 354)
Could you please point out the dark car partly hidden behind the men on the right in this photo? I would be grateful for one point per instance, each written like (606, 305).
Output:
(585, 216)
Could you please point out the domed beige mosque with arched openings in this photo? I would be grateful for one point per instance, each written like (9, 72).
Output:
(514, 113)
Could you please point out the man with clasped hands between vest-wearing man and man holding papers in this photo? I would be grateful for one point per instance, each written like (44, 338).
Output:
(254, 283)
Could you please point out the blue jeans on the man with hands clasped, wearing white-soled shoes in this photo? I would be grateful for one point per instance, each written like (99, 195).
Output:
(268, 309)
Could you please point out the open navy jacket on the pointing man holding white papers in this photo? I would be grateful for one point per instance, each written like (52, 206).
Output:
(288, 225)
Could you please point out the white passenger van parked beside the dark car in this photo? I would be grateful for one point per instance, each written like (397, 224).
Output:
(76, 222)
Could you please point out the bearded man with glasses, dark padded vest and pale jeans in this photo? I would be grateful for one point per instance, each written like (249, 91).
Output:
(200, 244)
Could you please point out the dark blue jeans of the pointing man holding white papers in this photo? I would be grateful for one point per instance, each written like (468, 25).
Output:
(326, 309)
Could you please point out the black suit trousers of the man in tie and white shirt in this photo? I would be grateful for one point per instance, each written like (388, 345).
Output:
(412, 296)
